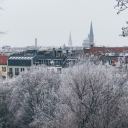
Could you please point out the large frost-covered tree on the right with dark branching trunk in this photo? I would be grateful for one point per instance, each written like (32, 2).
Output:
(92, 95)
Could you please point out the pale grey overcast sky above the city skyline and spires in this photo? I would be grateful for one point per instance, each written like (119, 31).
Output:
(50, 21)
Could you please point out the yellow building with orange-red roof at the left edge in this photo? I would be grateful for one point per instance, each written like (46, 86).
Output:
(3, 66)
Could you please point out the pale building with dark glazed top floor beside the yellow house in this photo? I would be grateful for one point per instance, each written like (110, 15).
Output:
(17, 63)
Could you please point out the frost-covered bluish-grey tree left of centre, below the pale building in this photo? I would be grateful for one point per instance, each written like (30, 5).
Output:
(34, 99)
